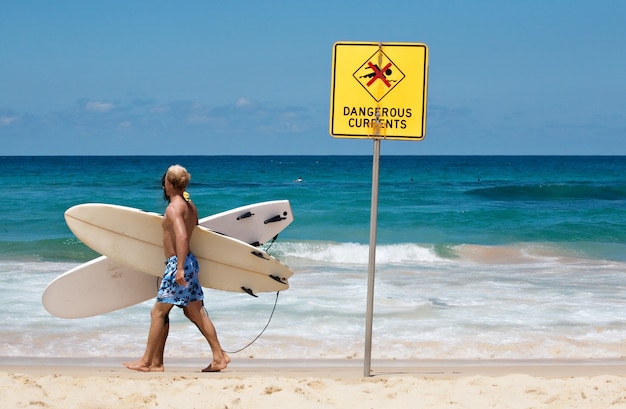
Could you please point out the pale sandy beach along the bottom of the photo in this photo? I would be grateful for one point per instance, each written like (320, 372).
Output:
(252, 383)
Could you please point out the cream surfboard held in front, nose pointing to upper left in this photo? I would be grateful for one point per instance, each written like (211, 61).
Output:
(134, 238)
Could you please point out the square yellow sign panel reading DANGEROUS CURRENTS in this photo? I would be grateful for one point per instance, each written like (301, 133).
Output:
(379, 90)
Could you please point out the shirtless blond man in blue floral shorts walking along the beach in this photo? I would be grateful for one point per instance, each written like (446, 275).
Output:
(180, 285)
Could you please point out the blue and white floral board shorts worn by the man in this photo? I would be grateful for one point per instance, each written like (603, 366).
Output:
(172, 293)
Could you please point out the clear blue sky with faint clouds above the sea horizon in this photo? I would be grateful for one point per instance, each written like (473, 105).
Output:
(253, 77)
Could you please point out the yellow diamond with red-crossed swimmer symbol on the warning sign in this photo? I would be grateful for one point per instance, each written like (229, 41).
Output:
(370, 72)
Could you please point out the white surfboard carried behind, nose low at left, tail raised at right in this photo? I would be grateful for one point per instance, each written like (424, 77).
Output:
(103, 285)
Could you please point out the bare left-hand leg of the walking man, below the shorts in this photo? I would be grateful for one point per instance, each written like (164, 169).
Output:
(159, 325)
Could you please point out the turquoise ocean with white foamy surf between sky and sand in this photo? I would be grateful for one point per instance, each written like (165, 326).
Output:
(478, 257)
